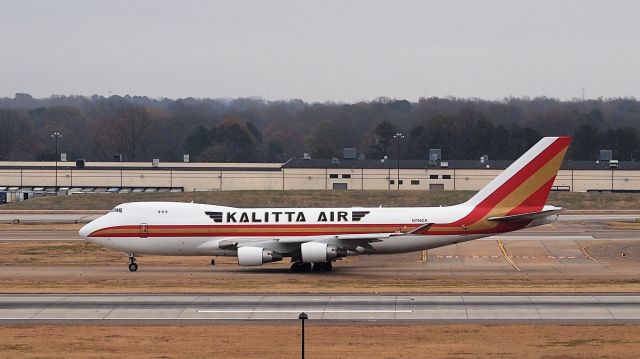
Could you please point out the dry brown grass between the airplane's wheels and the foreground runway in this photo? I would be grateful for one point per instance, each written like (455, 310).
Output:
(82, 267)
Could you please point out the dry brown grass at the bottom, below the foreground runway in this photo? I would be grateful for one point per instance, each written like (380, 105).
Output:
(362, 340)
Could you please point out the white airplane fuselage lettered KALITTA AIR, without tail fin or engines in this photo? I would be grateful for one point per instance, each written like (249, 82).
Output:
(171, 228)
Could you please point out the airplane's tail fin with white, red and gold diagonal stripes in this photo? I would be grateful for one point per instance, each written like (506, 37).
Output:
(525, 185)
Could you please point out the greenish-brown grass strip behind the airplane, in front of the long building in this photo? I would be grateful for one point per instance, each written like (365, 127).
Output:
(567, 200)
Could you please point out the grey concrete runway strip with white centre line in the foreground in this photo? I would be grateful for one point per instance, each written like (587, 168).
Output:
(420, 308)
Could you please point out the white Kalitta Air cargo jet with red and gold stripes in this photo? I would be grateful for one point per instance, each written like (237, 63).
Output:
(316, 237)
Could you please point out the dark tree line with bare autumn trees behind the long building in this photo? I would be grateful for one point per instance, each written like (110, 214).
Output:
(251, 129)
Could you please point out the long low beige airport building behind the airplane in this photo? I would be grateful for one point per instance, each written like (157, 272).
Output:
(22, 180)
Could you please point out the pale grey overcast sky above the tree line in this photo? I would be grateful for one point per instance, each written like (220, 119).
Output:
(321, 50)
